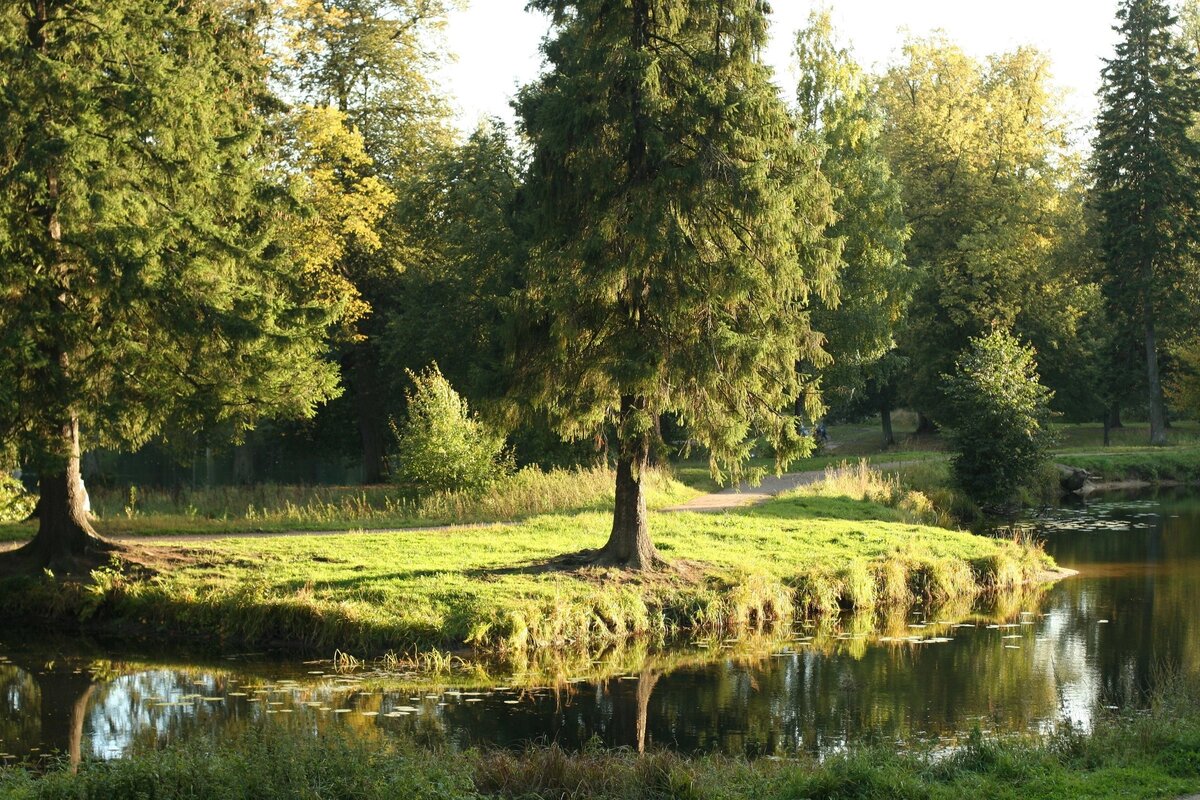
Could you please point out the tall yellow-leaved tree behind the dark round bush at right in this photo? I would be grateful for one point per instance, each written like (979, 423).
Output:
(983, 157)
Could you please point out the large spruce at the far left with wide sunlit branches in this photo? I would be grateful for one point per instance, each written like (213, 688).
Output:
(146, 282)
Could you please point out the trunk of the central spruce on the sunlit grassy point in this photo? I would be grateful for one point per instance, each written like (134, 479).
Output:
(629, 545)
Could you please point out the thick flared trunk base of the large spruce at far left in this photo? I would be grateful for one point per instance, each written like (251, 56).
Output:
(65, 540)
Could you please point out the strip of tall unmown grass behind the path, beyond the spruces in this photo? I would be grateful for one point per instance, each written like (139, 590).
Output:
(267, 508)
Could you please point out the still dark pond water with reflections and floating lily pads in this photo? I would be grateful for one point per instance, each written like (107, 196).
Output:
(1070, 653)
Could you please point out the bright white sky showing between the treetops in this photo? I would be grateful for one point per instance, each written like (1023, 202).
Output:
(496, 41)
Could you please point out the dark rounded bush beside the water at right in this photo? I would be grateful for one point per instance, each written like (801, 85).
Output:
(999, 419)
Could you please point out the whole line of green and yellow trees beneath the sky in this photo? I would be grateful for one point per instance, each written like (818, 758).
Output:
(250, 220)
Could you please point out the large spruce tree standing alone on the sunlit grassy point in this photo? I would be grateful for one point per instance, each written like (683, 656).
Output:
(677, 224)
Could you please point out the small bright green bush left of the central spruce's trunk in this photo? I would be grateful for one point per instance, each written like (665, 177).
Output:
(442, 446)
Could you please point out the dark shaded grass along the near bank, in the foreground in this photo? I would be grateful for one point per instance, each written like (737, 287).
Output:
(1151, 755)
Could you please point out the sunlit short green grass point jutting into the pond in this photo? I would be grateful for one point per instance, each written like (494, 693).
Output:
(503, 588)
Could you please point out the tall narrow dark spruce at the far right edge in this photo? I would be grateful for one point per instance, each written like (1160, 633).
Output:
(1147, 165)
